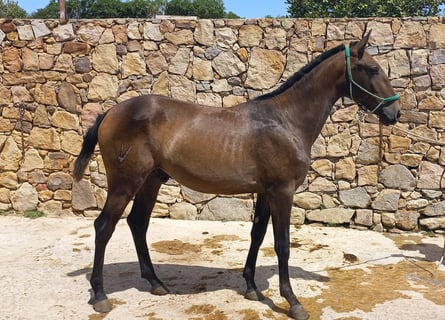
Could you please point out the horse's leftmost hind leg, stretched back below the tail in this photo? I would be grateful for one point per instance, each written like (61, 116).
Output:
(104, 225)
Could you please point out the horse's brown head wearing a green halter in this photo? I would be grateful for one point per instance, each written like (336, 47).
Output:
(368, 85)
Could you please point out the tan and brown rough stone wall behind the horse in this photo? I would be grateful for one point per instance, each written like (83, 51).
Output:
(57, 76)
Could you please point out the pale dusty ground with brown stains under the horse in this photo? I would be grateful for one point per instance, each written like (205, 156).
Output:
(337, 273)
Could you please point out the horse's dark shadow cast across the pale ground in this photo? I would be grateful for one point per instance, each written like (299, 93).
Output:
(190, 279)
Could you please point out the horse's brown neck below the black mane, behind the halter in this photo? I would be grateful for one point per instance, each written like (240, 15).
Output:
(313, 96)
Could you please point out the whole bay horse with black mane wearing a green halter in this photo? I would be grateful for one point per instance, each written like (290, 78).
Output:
(262, 146)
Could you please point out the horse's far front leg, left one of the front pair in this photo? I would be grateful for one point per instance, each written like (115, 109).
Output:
(259, 227)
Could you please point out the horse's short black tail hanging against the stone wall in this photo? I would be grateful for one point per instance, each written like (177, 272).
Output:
(89, 143)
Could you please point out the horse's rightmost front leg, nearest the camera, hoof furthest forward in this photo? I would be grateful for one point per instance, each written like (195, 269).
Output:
(280, 200)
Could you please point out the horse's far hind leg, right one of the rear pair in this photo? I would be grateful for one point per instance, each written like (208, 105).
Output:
(138, 221)
